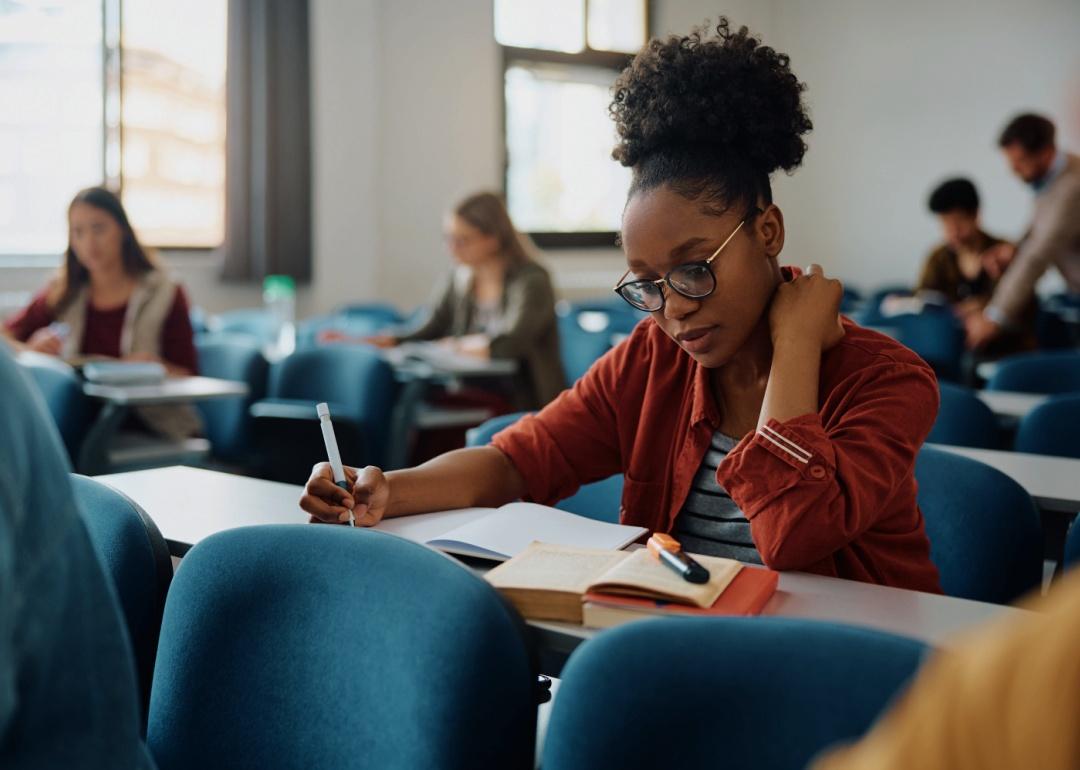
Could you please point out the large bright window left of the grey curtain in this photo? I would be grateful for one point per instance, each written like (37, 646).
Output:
(127, 93)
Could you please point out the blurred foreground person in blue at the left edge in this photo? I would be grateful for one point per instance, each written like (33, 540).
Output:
(67, 679)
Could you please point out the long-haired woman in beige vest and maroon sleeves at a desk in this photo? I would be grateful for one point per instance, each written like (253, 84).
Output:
(112, 299)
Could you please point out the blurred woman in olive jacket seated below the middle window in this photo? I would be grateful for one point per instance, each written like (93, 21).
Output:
(498, 304)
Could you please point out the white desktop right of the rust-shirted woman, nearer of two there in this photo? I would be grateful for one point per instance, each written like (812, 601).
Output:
(1054, 482)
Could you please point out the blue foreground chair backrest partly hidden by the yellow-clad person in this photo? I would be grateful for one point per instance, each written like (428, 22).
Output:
(691, 693)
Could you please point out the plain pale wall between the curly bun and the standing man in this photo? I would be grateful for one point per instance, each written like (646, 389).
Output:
(902, 97)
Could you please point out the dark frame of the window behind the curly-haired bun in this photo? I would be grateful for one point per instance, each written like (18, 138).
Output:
(587, 58)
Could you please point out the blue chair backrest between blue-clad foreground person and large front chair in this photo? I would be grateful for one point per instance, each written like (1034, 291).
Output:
(136, 557)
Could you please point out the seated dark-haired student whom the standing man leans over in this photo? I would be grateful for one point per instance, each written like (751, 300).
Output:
(965, 269)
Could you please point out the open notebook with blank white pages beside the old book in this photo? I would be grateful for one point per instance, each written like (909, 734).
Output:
(501, 534)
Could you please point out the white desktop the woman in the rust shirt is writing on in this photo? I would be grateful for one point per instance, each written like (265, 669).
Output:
(190, 505)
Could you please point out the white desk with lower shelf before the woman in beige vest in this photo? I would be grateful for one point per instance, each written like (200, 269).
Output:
(96, 455)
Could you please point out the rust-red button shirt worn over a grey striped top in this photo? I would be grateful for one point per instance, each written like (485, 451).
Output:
(831, 493)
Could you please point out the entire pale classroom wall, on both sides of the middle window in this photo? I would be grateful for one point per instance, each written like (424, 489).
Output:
(407, 119)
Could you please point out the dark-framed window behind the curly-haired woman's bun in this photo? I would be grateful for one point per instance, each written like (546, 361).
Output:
(561, 60)
